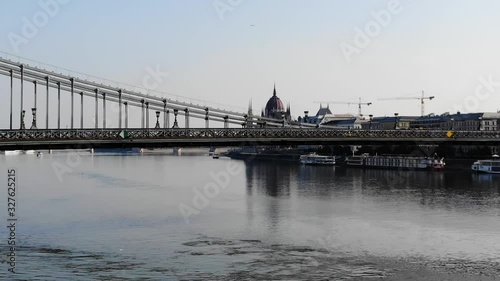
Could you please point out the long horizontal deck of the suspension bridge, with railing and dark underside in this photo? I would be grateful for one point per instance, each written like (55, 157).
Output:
(95, 138)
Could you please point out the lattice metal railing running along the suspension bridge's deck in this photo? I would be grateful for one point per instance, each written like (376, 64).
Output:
(245, 133)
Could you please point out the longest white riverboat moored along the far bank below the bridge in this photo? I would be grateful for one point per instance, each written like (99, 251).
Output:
(395, 162)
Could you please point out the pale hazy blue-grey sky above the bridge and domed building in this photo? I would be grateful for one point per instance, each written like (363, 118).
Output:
(231, 51)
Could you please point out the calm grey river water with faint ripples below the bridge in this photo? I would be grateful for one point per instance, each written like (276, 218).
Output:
(119, 218)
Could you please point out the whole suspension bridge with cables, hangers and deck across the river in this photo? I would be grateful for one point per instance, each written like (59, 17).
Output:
(248, 129)
